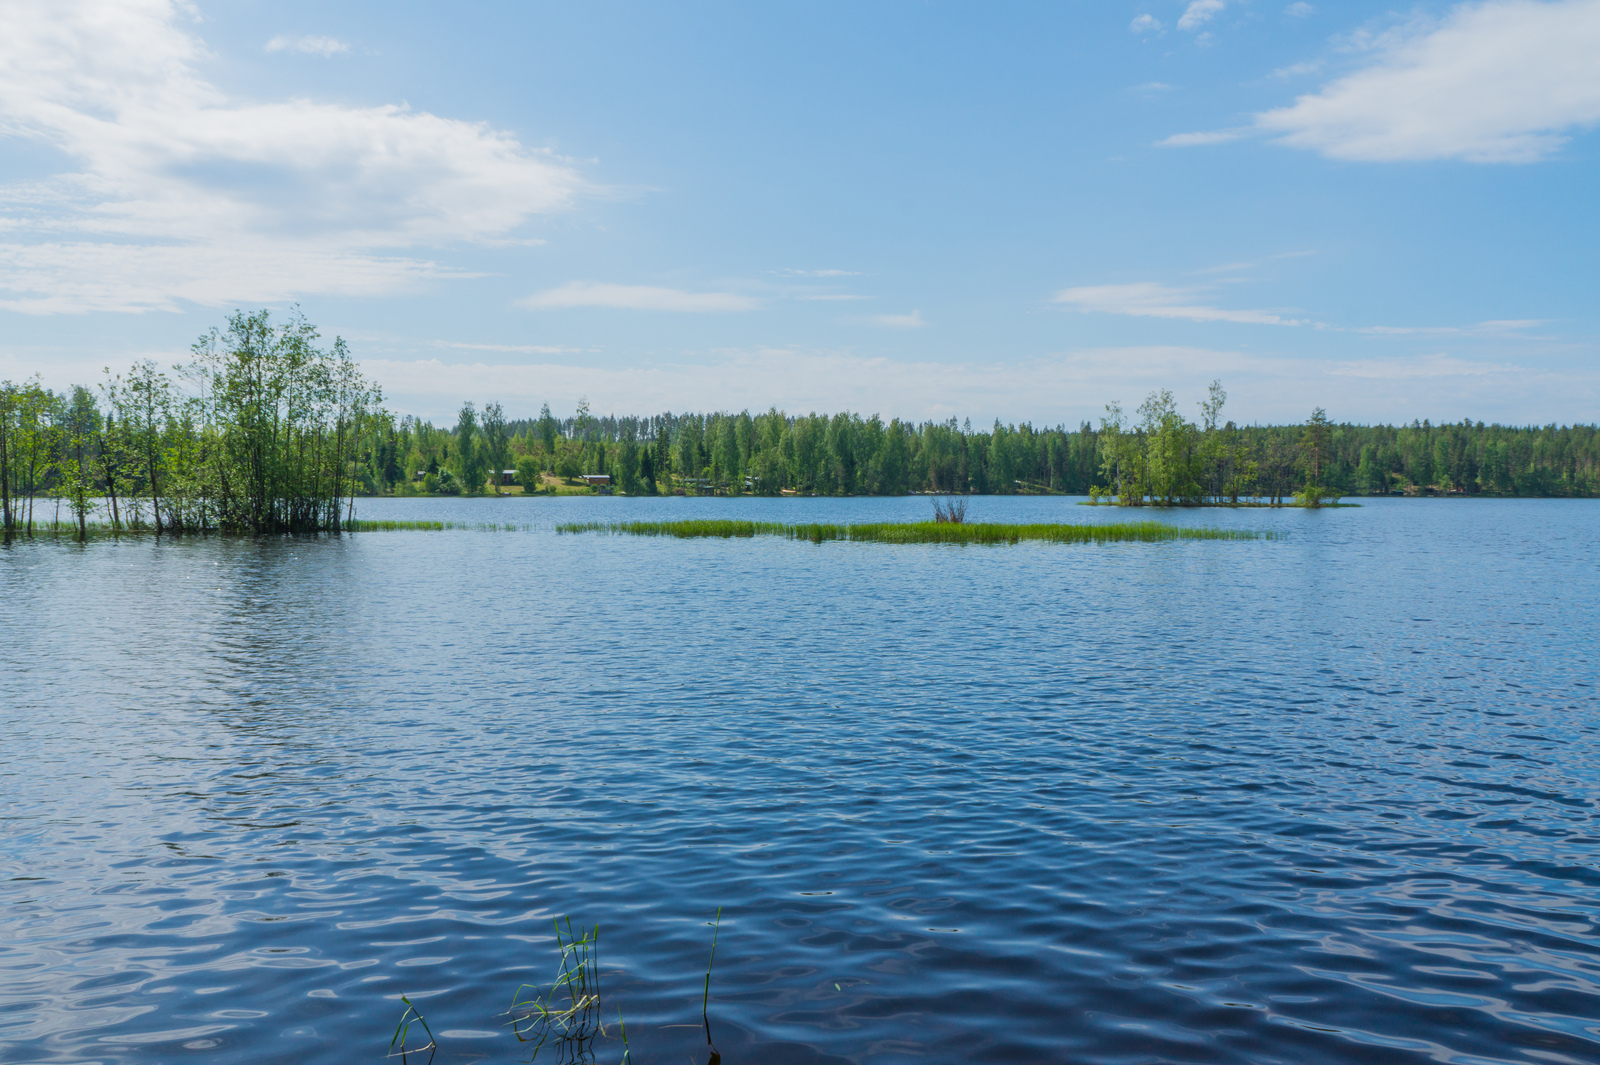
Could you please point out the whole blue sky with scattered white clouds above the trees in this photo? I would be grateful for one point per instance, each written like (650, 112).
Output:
(910, 209)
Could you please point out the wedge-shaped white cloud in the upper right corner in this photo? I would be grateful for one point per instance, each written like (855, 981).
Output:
(1498, 82)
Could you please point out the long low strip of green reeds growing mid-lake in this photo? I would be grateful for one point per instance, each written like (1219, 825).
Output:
(926, 532)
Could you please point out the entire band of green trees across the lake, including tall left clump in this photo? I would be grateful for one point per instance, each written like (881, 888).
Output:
(266, 433)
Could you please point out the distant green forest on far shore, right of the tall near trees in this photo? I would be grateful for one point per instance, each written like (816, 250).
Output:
(1150, 457)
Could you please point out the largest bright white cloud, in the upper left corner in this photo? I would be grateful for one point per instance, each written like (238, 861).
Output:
(180, 193)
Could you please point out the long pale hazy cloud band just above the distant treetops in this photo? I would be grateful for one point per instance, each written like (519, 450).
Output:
(1062, 388)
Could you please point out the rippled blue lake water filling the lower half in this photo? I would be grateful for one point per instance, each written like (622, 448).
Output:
(1329, 799)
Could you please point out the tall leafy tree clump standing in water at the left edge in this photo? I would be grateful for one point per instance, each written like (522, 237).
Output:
(262, 433)
